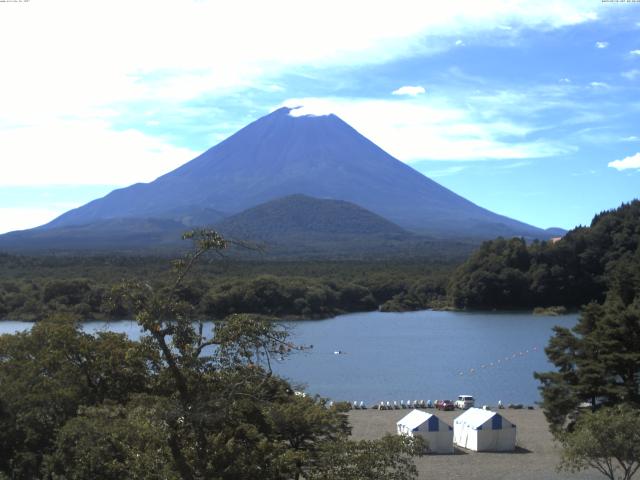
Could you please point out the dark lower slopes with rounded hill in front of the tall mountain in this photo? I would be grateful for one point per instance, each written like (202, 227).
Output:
(293, 227)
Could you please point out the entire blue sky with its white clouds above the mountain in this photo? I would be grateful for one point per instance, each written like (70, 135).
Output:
(530, 109)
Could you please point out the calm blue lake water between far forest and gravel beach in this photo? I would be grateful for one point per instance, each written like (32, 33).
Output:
(410, 356)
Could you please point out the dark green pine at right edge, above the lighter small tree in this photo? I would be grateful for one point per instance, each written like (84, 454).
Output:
(597, 361)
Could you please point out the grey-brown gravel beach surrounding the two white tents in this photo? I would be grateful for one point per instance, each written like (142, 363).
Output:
(536, 456)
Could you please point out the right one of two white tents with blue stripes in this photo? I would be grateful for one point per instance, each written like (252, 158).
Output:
(484, 431)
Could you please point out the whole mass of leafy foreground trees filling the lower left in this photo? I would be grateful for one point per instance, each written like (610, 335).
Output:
(177, 404)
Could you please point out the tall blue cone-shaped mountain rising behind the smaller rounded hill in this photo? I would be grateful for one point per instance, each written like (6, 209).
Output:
(319, 156)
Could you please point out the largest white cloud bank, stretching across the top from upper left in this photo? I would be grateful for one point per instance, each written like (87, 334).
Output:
(117, 51)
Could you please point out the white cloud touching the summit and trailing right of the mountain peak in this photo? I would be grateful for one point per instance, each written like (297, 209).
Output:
(436, 130)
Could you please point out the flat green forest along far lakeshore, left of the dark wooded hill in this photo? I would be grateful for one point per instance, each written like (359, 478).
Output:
(33, 287)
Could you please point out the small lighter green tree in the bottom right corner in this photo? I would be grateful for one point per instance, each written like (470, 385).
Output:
(607, 440)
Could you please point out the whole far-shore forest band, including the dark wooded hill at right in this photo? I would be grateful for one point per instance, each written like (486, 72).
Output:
(501, 274)
